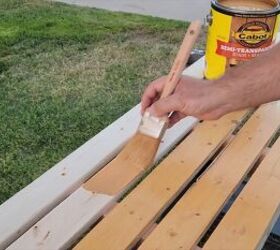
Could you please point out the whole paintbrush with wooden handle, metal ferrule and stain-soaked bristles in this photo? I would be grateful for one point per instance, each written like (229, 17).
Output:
(143, 146)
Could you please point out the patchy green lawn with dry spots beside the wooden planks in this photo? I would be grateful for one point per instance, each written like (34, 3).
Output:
(65, 74)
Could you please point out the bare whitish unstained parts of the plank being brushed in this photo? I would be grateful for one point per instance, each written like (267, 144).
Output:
(73, 210)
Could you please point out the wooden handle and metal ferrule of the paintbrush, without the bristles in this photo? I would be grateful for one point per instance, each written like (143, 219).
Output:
(154, 126)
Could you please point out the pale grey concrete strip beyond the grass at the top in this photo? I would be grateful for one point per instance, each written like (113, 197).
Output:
(171, 9)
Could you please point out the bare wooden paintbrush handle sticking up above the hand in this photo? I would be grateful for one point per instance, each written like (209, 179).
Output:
(181, 59)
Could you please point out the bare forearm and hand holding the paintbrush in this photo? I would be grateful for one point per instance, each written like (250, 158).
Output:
(249, 85)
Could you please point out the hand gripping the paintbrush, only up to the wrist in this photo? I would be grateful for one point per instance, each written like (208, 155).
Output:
(200, 98)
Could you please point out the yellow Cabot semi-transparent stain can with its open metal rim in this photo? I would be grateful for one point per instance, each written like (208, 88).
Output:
(239, 30)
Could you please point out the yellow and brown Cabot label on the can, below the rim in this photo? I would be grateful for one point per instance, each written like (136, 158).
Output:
(235, 39)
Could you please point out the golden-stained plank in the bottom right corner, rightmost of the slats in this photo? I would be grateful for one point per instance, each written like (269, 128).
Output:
(249, 221)
